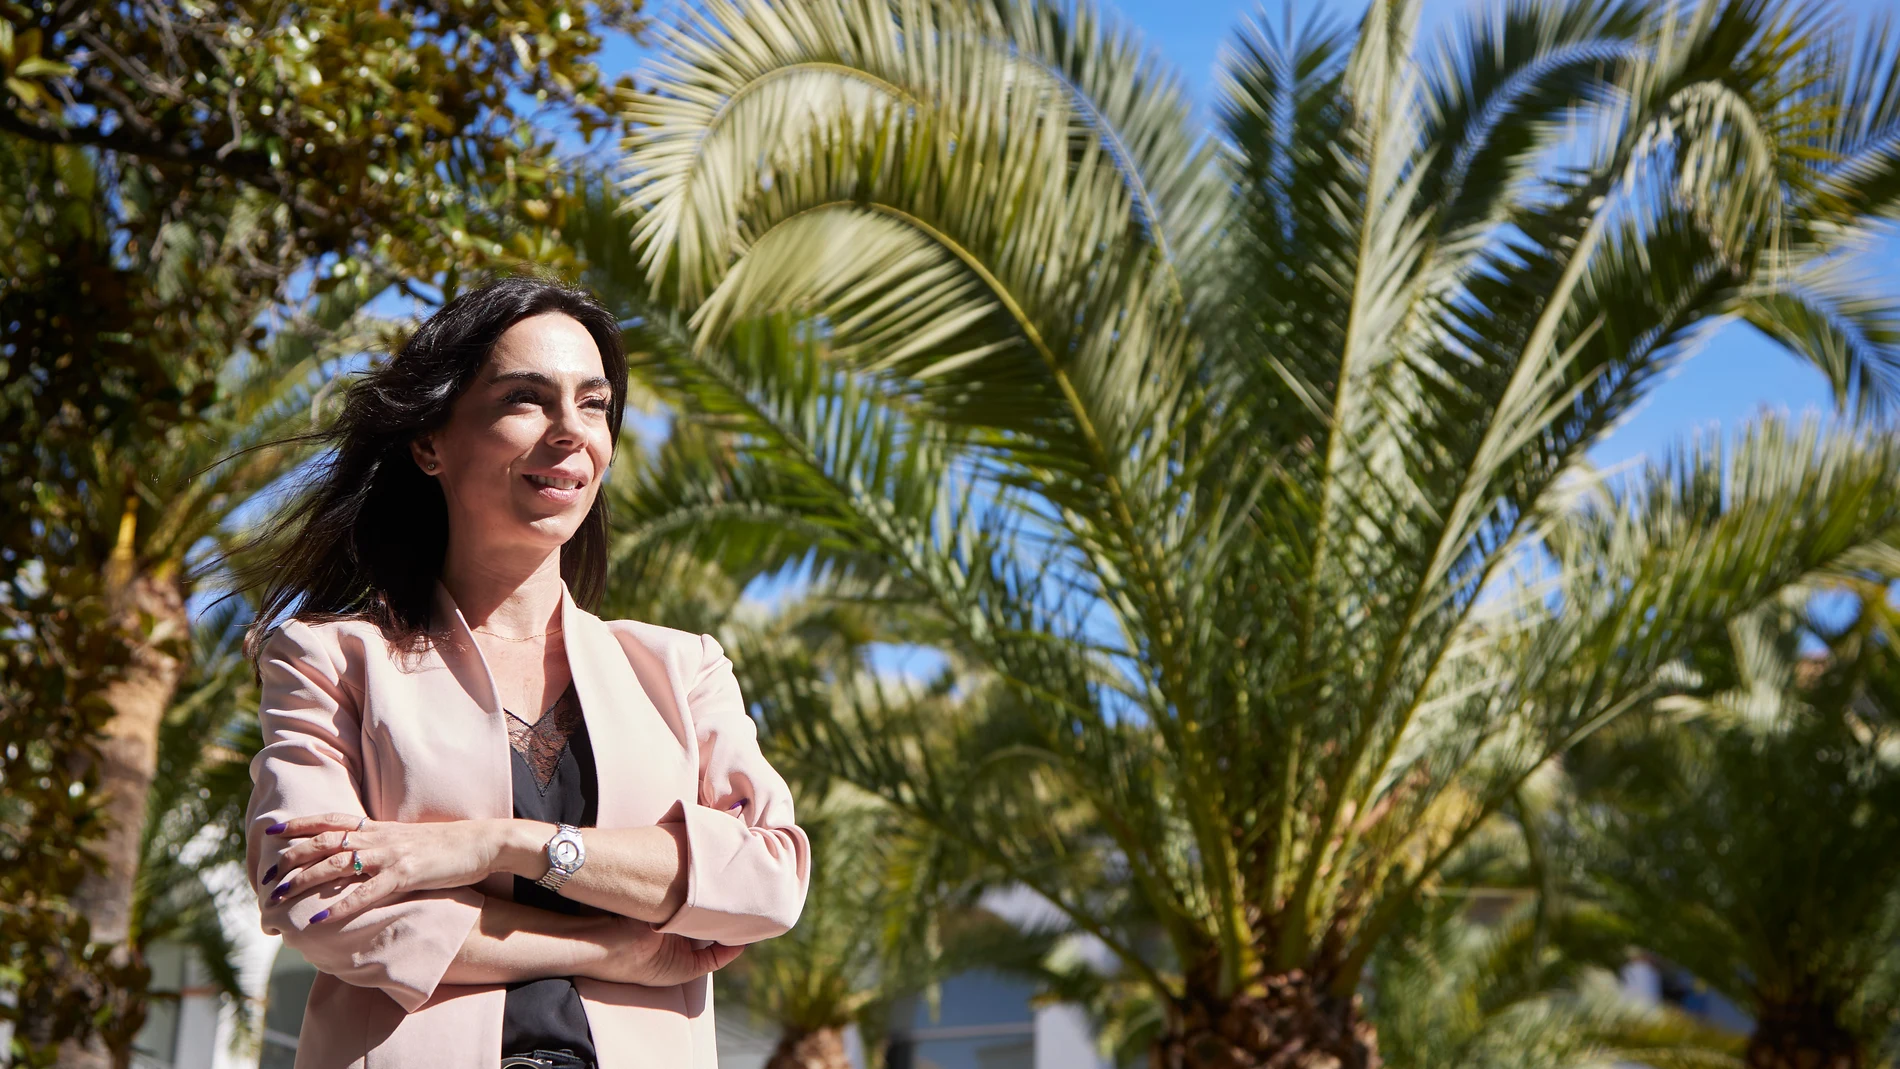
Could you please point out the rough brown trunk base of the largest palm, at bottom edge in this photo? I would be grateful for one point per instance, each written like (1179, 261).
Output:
(1291, 1024)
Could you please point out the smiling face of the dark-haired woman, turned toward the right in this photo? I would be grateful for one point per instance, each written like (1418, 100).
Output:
(527, 443)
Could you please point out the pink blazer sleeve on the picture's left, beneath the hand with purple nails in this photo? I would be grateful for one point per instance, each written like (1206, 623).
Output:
(313, 762)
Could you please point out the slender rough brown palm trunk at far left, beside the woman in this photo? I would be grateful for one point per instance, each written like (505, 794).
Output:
(151, 622)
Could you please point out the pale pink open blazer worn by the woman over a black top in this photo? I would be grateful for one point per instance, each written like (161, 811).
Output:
(352, 726)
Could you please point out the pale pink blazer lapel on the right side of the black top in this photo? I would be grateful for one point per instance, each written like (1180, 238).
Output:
(639, 762)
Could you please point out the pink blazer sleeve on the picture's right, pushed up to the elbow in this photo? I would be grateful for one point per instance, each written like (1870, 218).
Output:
(748, 859)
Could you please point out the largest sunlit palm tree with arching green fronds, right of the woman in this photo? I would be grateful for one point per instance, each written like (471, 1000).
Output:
(1251, 464)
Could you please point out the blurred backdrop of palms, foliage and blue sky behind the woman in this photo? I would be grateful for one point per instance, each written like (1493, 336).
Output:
(1301, 538)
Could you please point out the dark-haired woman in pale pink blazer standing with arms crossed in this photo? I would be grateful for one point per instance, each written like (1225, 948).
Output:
(503, 829)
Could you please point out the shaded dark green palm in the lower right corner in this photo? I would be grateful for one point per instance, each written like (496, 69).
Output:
(1755, 835)
